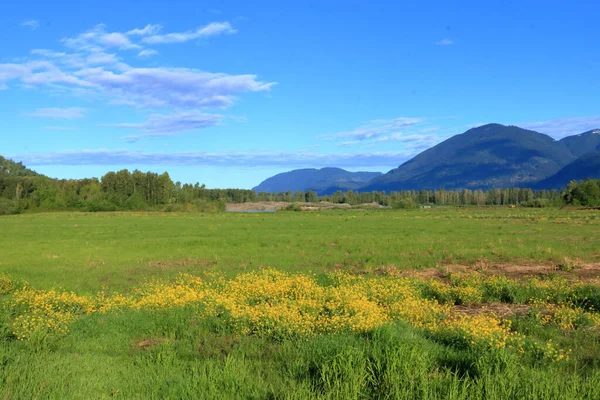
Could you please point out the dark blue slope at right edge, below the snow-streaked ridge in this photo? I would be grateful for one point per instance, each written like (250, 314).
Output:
(586, 166)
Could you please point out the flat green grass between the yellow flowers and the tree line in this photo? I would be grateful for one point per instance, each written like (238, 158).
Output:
(87, 251)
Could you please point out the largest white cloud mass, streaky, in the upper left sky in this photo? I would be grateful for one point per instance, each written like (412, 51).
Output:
(90, 64)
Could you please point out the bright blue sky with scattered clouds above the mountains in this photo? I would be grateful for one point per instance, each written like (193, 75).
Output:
(229, 93)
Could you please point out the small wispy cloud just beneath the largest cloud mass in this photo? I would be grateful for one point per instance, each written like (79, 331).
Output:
(160, 125)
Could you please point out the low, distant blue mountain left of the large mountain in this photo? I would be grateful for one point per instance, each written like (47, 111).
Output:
(322, 181)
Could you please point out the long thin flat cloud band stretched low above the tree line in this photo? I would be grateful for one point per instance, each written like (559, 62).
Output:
(251, 159)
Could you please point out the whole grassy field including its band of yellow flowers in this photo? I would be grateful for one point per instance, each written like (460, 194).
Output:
(338, 304)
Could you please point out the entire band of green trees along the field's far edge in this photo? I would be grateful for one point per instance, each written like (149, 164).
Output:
(26, 190)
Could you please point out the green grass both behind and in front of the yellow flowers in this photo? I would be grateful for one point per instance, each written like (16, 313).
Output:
(174, 354)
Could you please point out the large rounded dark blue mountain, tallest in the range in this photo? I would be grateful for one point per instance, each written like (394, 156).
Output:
(489, 156)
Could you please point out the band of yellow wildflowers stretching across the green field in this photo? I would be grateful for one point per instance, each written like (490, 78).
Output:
(277, 304)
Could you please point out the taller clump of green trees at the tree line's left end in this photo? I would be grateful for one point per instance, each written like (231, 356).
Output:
(121, 190)
